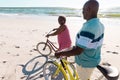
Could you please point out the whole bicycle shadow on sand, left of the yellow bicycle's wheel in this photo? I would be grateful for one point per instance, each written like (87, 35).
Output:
(33, 69)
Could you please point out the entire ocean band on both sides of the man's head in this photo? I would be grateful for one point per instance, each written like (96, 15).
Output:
(55, 11)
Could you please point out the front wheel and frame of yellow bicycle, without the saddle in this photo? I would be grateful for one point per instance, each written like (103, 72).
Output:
(59, 70)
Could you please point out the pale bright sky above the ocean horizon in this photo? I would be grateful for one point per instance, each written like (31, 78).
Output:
(56, 3)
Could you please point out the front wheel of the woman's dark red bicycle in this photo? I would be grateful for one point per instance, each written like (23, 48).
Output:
(43, 48)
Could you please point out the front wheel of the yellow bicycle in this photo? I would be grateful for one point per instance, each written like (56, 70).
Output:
(49, 70)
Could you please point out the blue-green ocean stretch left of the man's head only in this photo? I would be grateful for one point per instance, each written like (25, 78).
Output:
(52, 11)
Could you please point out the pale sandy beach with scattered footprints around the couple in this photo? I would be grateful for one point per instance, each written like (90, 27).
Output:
(20, 34)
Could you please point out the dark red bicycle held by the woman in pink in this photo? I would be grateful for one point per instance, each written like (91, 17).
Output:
(46, 48)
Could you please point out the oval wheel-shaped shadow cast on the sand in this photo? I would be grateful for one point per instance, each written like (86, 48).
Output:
(34, 65)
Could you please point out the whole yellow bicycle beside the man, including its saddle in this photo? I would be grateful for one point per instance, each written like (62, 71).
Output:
(64, 70)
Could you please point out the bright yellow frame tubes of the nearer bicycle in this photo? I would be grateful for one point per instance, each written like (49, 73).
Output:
(60, 67)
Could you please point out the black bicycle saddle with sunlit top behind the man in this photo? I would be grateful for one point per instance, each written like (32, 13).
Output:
(110, 72)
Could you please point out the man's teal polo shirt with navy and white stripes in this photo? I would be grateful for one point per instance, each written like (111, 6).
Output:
(90, 38)
